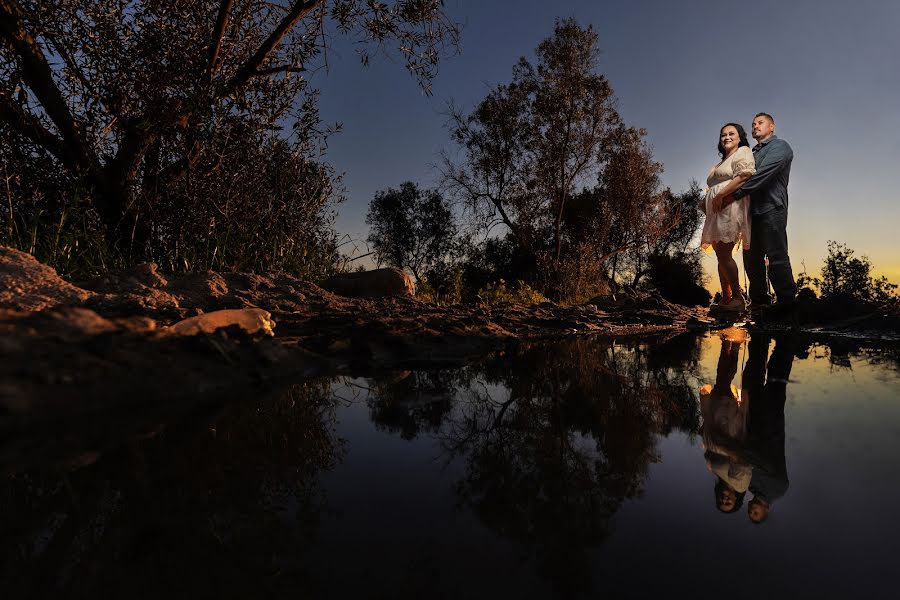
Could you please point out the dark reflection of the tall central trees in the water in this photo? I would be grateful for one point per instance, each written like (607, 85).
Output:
(555, 441)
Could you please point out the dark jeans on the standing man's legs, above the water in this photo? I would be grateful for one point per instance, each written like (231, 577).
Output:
(768, 238)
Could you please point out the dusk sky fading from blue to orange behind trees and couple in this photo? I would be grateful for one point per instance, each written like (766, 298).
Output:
(828, 71)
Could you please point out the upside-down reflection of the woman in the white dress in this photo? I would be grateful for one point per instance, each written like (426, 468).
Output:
(724, 430)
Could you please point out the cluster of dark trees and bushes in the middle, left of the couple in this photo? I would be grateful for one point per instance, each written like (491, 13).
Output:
(554, 192)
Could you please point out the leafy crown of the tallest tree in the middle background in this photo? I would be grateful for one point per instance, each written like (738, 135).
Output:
(529, 144)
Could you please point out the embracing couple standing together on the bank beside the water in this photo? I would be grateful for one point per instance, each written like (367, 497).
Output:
(746, 206)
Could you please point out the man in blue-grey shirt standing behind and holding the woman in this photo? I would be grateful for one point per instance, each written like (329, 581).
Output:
(768, 229)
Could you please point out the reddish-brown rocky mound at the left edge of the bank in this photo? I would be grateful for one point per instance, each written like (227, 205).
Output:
(27, 285)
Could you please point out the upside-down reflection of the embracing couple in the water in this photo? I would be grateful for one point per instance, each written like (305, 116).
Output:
(743, 427)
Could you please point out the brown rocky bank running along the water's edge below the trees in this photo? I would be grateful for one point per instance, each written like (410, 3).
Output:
(129, 348)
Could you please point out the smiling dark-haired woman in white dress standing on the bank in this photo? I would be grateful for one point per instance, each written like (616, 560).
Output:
(727, 227)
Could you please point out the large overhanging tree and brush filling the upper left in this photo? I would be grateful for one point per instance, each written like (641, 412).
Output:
(184, 132)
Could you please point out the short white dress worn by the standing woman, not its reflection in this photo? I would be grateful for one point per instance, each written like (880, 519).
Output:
(732, 223)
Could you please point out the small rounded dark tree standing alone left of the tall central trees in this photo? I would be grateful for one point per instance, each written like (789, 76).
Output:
(411, 228)
